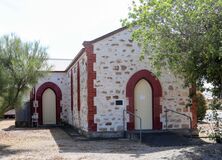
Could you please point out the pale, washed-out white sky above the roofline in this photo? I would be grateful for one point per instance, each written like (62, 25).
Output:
(61, 25)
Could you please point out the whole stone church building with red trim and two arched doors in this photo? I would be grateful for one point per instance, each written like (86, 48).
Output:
(106, 85)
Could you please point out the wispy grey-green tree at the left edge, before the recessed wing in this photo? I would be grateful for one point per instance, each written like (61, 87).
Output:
(21, 65)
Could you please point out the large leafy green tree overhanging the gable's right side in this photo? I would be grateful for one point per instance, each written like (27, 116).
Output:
(183, 35)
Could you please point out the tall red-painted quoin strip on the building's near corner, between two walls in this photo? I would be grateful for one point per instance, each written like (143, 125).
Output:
(91, 58)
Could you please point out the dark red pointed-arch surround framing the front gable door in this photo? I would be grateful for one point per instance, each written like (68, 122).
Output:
(157, 93)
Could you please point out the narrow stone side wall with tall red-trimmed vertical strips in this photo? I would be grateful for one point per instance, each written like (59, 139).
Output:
(80, 111)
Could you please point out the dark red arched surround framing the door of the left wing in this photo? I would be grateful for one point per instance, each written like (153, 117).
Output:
(58, 94)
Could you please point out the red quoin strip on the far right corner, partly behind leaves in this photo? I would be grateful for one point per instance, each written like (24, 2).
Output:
(193, 108)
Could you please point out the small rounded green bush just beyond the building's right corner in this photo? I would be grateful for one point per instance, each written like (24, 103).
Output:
(201, 106)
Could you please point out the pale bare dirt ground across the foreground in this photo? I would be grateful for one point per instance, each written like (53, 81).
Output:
(55, 144)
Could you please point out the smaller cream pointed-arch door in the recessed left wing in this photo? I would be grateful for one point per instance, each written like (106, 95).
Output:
(49, 107)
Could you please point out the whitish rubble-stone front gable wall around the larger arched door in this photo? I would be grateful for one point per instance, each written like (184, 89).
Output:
(117, 59)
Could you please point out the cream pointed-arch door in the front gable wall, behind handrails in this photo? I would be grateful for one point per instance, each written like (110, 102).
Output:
(143, 104)
